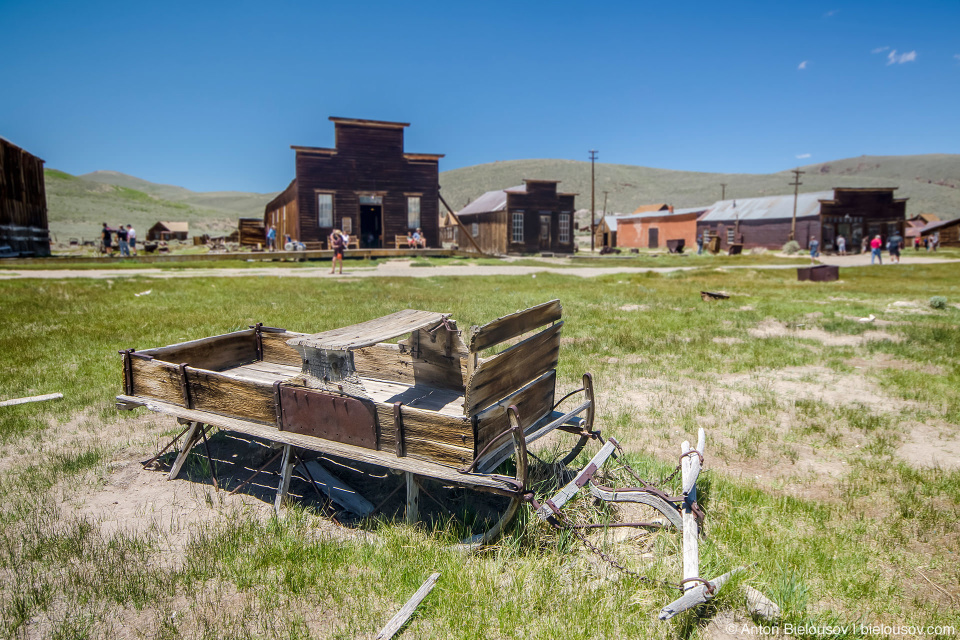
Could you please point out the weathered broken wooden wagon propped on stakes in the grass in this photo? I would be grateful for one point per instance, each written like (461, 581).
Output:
(427, 405)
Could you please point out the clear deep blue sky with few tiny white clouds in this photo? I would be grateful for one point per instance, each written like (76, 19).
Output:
(210, 95)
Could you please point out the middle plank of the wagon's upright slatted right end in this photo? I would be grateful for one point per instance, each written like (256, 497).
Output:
(506, 372)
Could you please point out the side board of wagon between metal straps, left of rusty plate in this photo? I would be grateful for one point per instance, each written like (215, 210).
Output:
(247, 399)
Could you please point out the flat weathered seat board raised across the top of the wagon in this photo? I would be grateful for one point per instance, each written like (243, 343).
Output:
(365, 334)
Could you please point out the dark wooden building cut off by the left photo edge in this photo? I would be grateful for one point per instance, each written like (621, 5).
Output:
(23, 202)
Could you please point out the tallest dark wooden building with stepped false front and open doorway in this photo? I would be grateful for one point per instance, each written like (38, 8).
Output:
(367, 185)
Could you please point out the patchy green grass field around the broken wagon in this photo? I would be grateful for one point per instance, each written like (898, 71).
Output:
(861, 549)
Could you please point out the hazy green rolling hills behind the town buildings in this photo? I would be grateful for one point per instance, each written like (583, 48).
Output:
(79, 204)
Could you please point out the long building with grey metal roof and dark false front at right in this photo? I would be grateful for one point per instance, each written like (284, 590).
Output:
(766, 222)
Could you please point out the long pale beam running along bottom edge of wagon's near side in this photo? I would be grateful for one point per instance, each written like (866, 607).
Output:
(445, 473)
